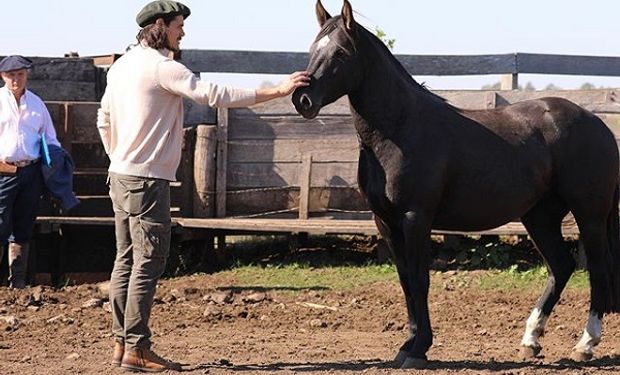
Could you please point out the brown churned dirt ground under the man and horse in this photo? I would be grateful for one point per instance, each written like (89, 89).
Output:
(215, 327)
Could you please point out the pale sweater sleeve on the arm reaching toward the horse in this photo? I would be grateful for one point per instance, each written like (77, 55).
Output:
(176, 78)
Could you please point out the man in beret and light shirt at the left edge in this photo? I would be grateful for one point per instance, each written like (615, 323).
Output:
(24, 119)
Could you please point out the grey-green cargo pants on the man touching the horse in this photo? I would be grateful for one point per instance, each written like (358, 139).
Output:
(142, 225)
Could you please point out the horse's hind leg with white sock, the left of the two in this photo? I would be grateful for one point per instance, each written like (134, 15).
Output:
(544, 224)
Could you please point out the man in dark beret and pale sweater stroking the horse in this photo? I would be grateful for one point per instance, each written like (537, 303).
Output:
(140, 122)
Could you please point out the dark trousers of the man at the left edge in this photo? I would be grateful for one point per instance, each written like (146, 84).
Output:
(19, 201)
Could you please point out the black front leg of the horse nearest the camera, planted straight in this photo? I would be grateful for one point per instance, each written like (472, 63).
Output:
(417, 229)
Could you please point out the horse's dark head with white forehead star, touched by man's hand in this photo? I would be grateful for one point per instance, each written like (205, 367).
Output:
(334, 63)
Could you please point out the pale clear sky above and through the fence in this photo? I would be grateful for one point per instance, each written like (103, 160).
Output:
(451, 27)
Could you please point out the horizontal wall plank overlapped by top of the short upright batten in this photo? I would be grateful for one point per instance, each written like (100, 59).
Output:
(344, 149)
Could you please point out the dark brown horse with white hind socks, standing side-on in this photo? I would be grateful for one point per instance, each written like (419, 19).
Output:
(425, 164)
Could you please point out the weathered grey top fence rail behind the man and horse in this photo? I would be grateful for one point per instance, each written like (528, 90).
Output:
(509, 65)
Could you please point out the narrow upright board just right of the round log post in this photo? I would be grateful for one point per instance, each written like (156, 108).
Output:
(221, 178)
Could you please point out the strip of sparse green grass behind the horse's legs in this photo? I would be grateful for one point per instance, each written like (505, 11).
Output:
(295, 277)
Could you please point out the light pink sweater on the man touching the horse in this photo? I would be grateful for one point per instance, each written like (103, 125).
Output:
(141, 116)
